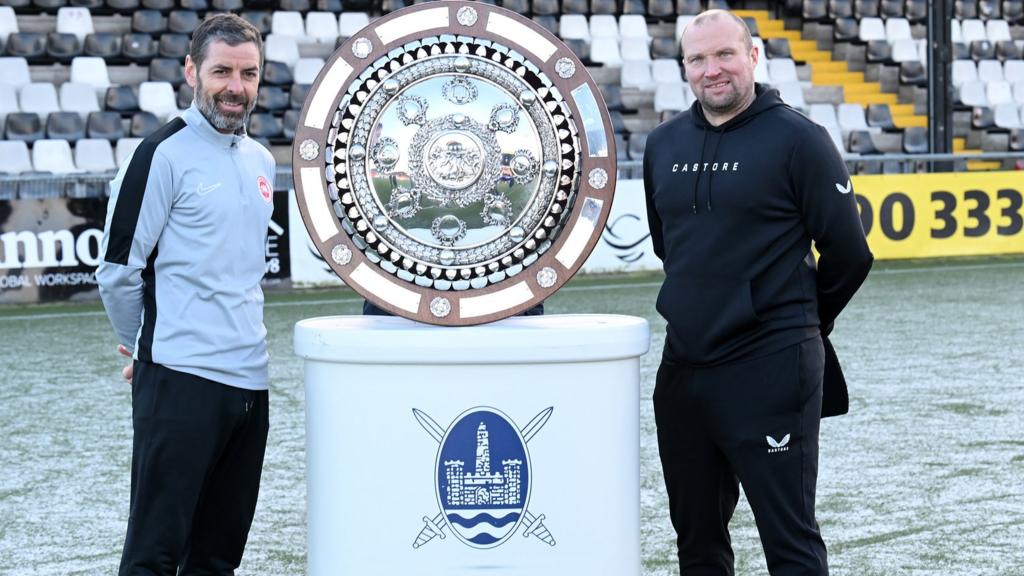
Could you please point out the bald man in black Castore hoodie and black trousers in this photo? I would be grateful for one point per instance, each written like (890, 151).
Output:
(738, 189)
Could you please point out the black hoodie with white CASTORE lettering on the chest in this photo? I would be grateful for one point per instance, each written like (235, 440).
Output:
(733, 212)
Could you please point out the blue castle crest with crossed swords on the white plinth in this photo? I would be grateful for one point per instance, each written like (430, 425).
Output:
(483, 479)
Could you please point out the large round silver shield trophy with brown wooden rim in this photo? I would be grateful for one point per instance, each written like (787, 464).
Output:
(454, 163)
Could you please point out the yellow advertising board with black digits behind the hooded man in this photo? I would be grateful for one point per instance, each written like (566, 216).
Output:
(943, 215)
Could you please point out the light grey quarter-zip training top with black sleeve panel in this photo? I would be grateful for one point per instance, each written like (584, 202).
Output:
(184, 252)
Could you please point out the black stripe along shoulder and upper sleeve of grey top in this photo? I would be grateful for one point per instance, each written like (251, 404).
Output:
(130, 202)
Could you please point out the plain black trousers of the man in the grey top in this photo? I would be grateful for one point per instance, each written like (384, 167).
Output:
(197, 461)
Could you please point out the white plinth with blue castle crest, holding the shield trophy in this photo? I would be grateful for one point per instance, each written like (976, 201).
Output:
(510, 448)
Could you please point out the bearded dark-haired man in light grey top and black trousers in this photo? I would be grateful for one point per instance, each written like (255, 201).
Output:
(184, 256)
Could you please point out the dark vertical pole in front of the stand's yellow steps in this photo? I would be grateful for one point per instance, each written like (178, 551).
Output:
(941, 111)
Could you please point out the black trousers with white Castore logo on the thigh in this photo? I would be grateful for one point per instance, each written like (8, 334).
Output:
(755, 424)
